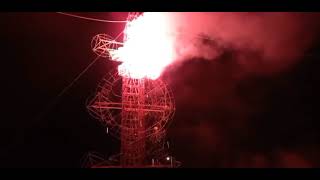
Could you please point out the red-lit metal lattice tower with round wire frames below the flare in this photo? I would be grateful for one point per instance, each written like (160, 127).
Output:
(135, 110)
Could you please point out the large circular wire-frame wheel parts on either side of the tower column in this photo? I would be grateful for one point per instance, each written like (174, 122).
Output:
(158, 107)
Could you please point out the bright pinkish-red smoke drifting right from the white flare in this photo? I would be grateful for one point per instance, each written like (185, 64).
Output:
(280, 38)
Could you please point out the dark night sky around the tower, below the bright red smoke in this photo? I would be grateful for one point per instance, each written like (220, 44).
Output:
(221, 120)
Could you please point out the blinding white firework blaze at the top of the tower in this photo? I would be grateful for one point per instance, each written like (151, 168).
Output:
(148, 48)
